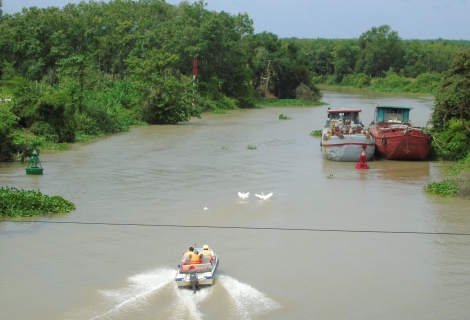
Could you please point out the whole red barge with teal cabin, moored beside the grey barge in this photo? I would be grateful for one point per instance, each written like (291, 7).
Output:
(395, 138)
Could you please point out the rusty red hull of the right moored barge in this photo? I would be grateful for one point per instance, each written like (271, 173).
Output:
(408, 144)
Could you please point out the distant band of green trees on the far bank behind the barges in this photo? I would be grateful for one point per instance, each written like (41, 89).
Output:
(375, 53)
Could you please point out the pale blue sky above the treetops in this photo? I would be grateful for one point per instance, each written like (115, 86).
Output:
(341, 19)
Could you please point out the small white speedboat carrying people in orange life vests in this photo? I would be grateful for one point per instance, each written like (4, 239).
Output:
(194, 275)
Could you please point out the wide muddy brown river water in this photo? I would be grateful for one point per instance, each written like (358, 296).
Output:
(168, 174)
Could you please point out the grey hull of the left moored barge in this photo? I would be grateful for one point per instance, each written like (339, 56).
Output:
(348, 148)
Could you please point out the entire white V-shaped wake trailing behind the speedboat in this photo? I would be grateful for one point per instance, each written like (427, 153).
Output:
(155, 293)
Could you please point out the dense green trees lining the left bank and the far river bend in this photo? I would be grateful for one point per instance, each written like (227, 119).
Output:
(99, 67)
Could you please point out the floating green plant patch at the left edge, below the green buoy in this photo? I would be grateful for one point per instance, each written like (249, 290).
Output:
(27, 203)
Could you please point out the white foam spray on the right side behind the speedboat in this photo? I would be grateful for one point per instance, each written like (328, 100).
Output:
(248, 301)
